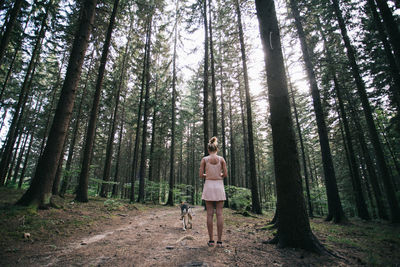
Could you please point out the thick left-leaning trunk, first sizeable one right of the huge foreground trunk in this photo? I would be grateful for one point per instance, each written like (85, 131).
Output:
(334, 204)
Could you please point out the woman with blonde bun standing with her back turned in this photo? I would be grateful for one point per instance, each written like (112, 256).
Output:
(215, 170)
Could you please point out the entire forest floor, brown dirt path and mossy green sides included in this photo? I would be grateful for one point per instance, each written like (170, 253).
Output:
(115, 233)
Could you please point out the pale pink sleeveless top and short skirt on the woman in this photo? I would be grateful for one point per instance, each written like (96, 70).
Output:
(213, 190)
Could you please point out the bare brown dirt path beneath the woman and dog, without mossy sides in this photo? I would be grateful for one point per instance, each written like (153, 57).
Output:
(155, 238)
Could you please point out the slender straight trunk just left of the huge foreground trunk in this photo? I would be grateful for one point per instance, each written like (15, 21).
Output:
(256, 207)
